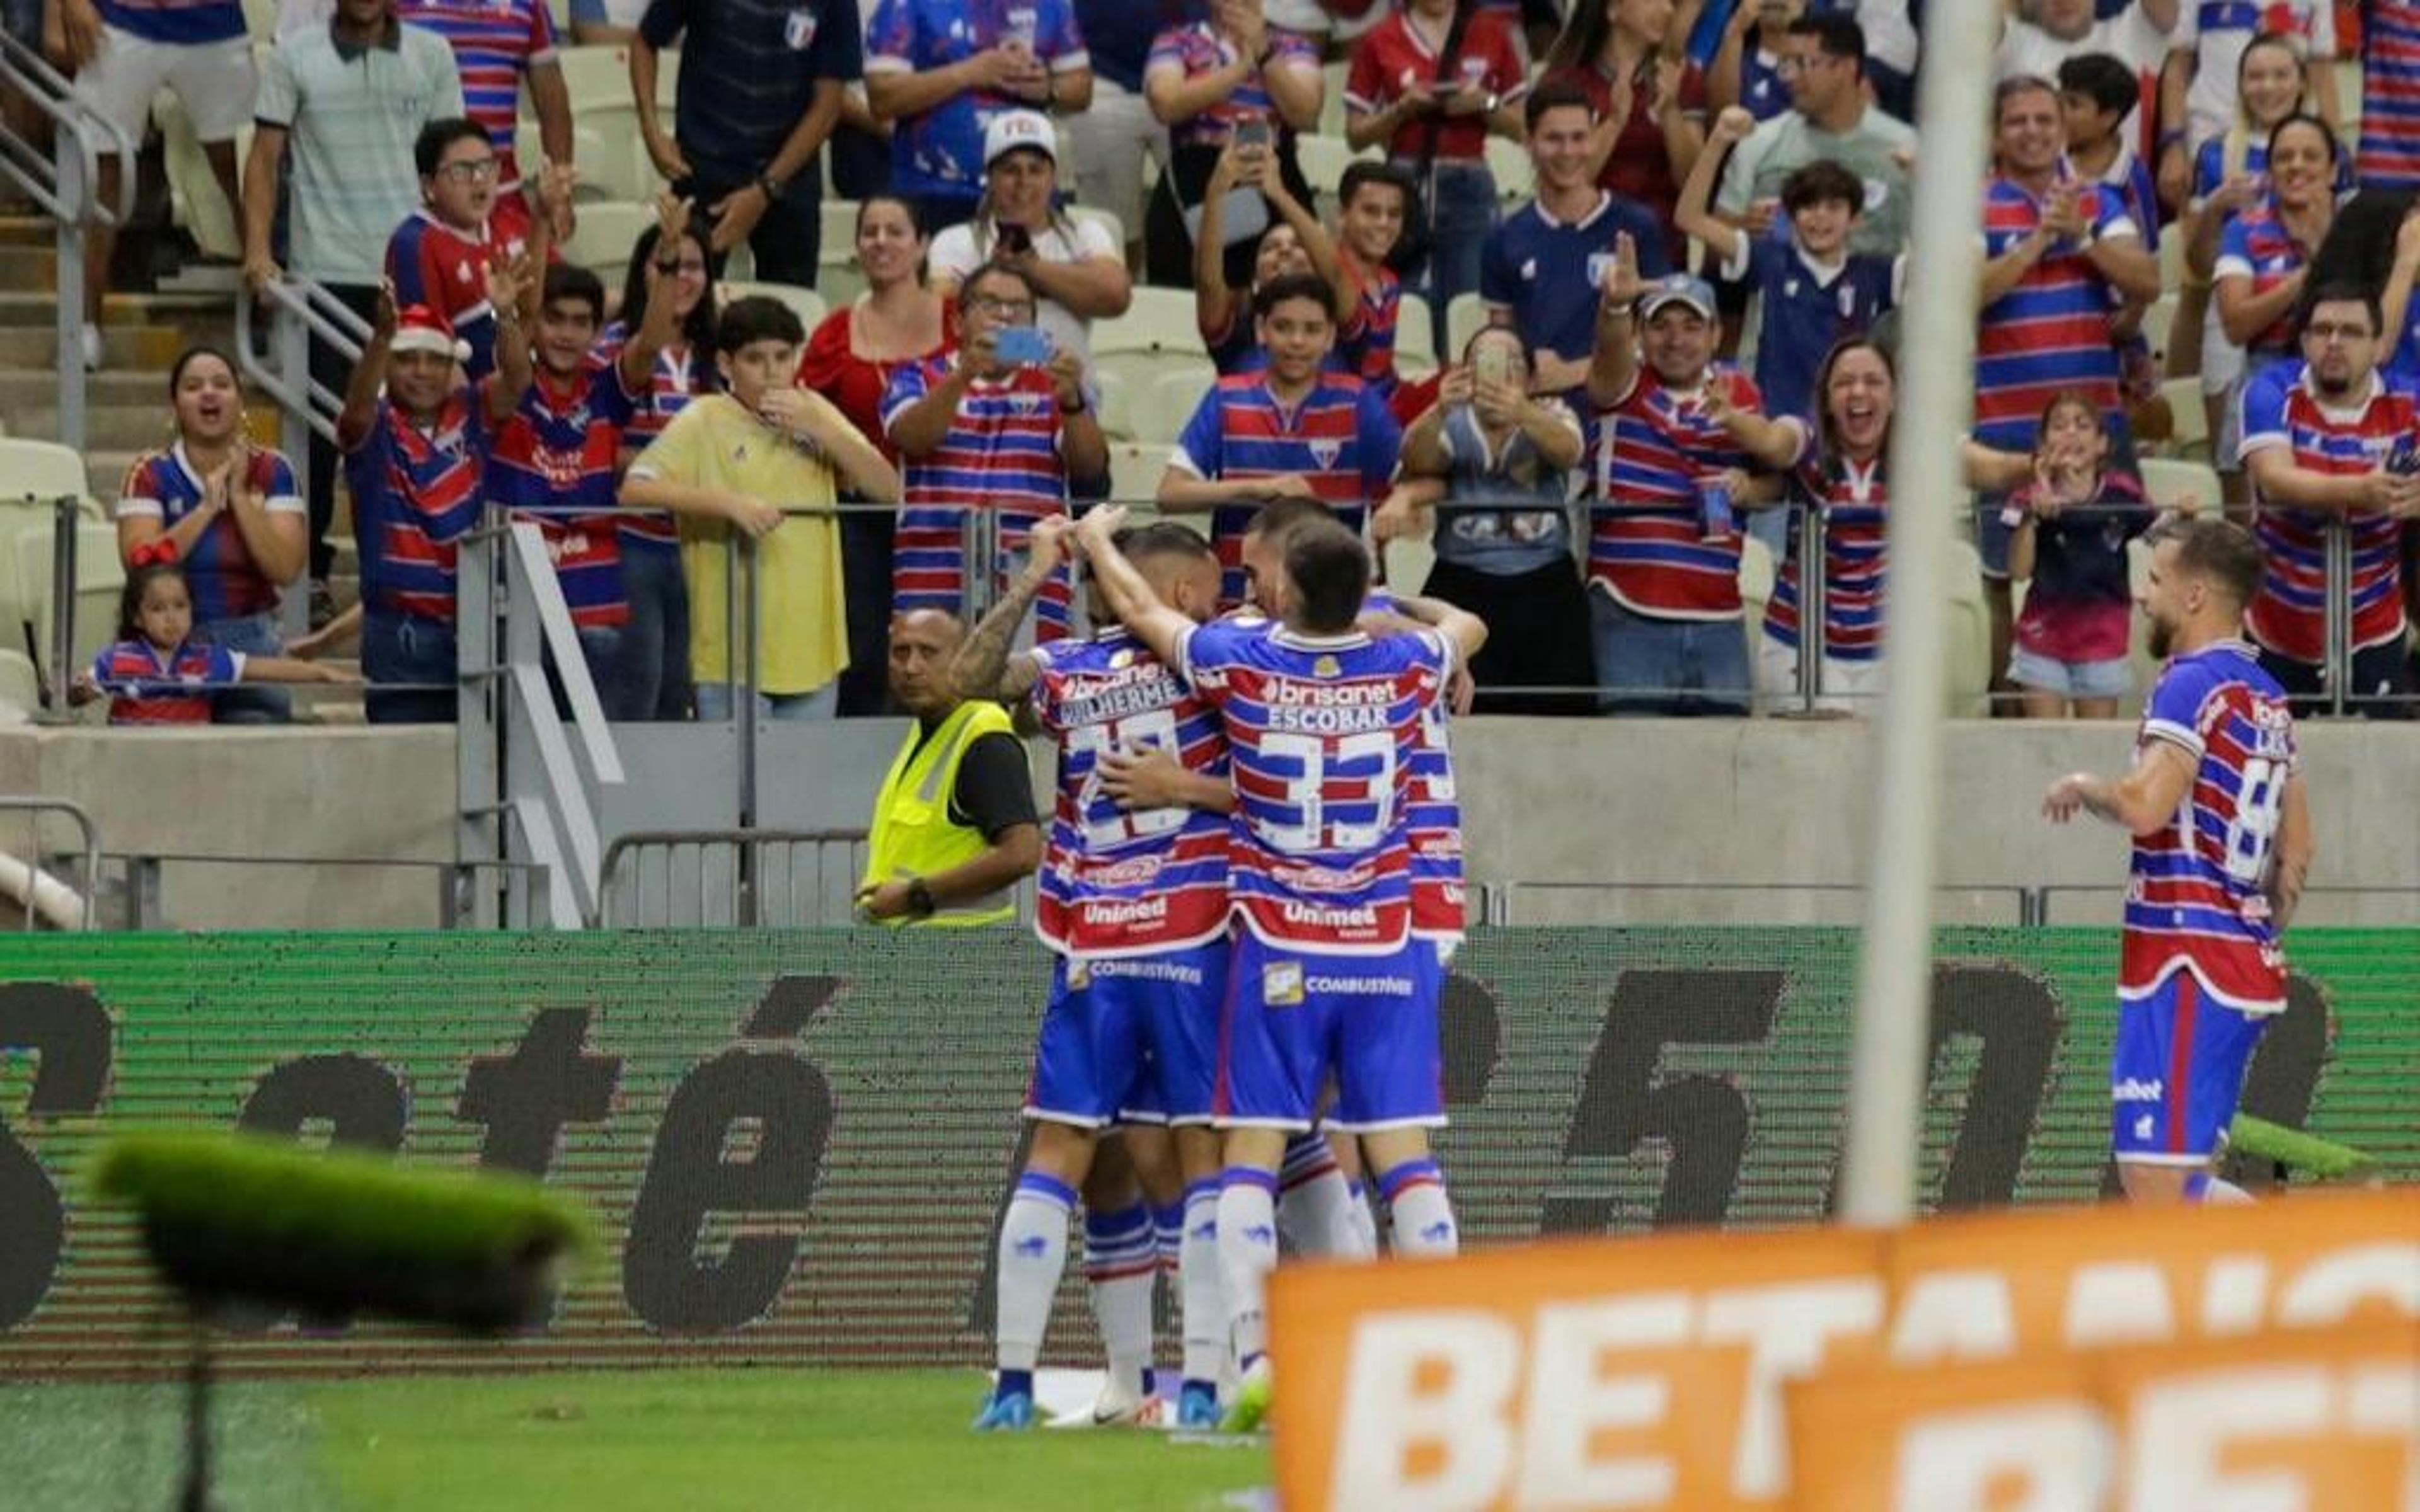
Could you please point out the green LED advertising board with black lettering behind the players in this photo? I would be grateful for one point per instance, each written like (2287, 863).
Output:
(797, 1143)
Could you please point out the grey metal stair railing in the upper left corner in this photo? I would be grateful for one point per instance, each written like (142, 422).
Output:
(67, 187)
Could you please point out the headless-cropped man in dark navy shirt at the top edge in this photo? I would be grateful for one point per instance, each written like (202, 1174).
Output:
(759, 93)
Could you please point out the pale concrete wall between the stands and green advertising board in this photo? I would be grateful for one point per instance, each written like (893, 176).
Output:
(1761, 807)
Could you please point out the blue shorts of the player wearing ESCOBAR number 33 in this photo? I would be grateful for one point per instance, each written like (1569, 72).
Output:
(1296, 1017)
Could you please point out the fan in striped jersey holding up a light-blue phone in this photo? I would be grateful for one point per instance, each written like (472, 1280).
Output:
(976, 432)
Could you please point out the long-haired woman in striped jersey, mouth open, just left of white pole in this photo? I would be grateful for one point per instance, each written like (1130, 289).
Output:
(1843, 483)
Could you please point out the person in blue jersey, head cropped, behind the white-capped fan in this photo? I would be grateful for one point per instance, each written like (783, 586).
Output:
(945, 69)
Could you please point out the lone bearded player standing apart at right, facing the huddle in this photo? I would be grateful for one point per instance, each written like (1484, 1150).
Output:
(2223, 843)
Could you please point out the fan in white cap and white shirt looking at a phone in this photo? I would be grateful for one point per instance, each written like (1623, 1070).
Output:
(1076, 267)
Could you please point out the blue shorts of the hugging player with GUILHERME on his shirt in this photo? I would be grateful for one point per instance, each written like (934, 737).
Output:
(1129, 1039)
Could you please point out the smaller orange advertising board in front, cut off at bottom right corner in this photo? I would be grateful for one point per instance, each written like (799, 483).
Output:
(2283, 1419)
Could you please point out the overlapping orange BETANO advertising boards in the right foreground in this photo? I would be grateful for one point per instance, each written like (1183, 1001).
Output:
(1986, 1363)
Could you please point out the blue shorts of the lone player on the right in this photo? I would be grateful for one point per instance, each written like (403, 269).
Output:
(2179, 1073)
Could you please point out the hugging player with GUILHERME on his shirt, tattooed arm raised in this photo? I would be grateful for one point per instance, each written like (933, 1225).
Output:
(1134, 904)
